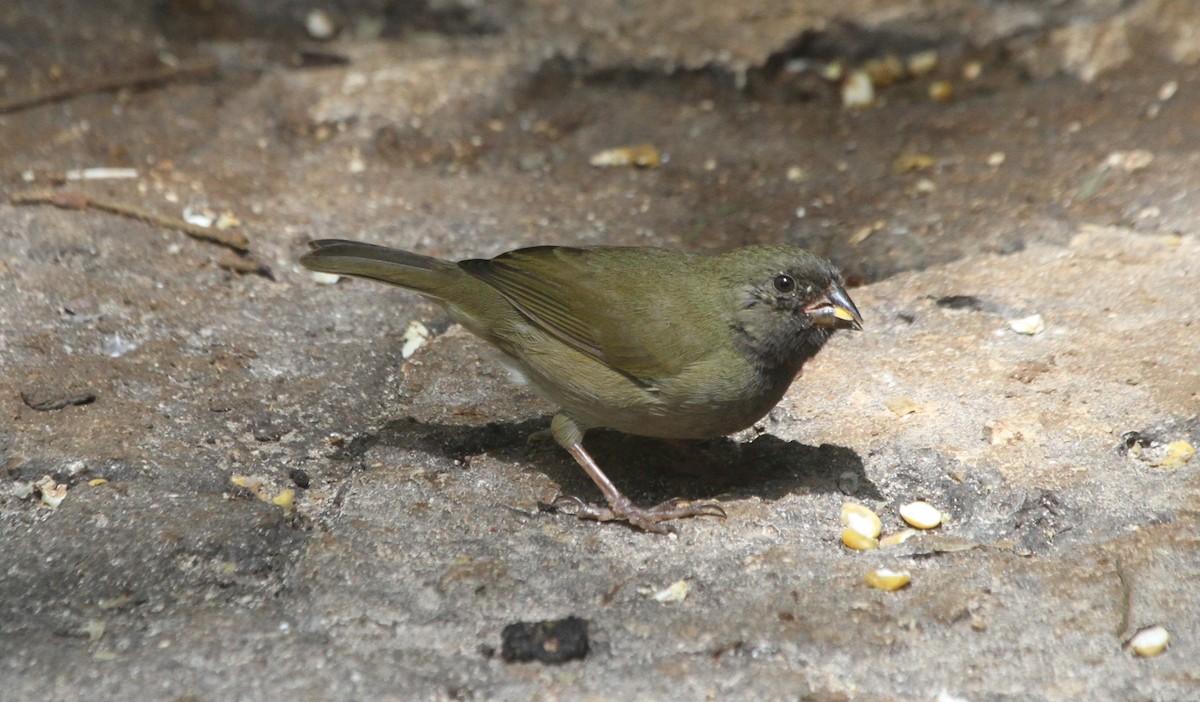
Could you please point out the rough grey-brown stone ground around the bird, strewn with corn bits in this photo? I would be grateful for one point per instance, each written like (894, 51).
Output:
(173, 392)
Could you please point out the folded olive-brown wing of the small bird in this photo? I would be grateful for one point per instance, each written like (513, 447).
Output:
(598, 304)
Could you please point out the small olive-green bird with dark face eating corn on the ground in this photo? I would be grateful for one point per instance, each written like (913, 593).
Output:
(641, 340)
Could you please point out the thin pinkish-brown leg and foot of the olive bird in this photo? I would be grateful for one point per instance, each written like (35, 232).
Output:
(569, 436)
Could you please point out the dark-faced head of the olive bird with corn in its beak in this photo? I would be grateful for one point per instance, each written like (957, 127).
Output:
(790, 313)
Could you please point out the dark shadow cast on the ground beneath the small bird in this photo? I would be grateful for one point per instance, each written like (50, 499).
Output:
(649, 471)
